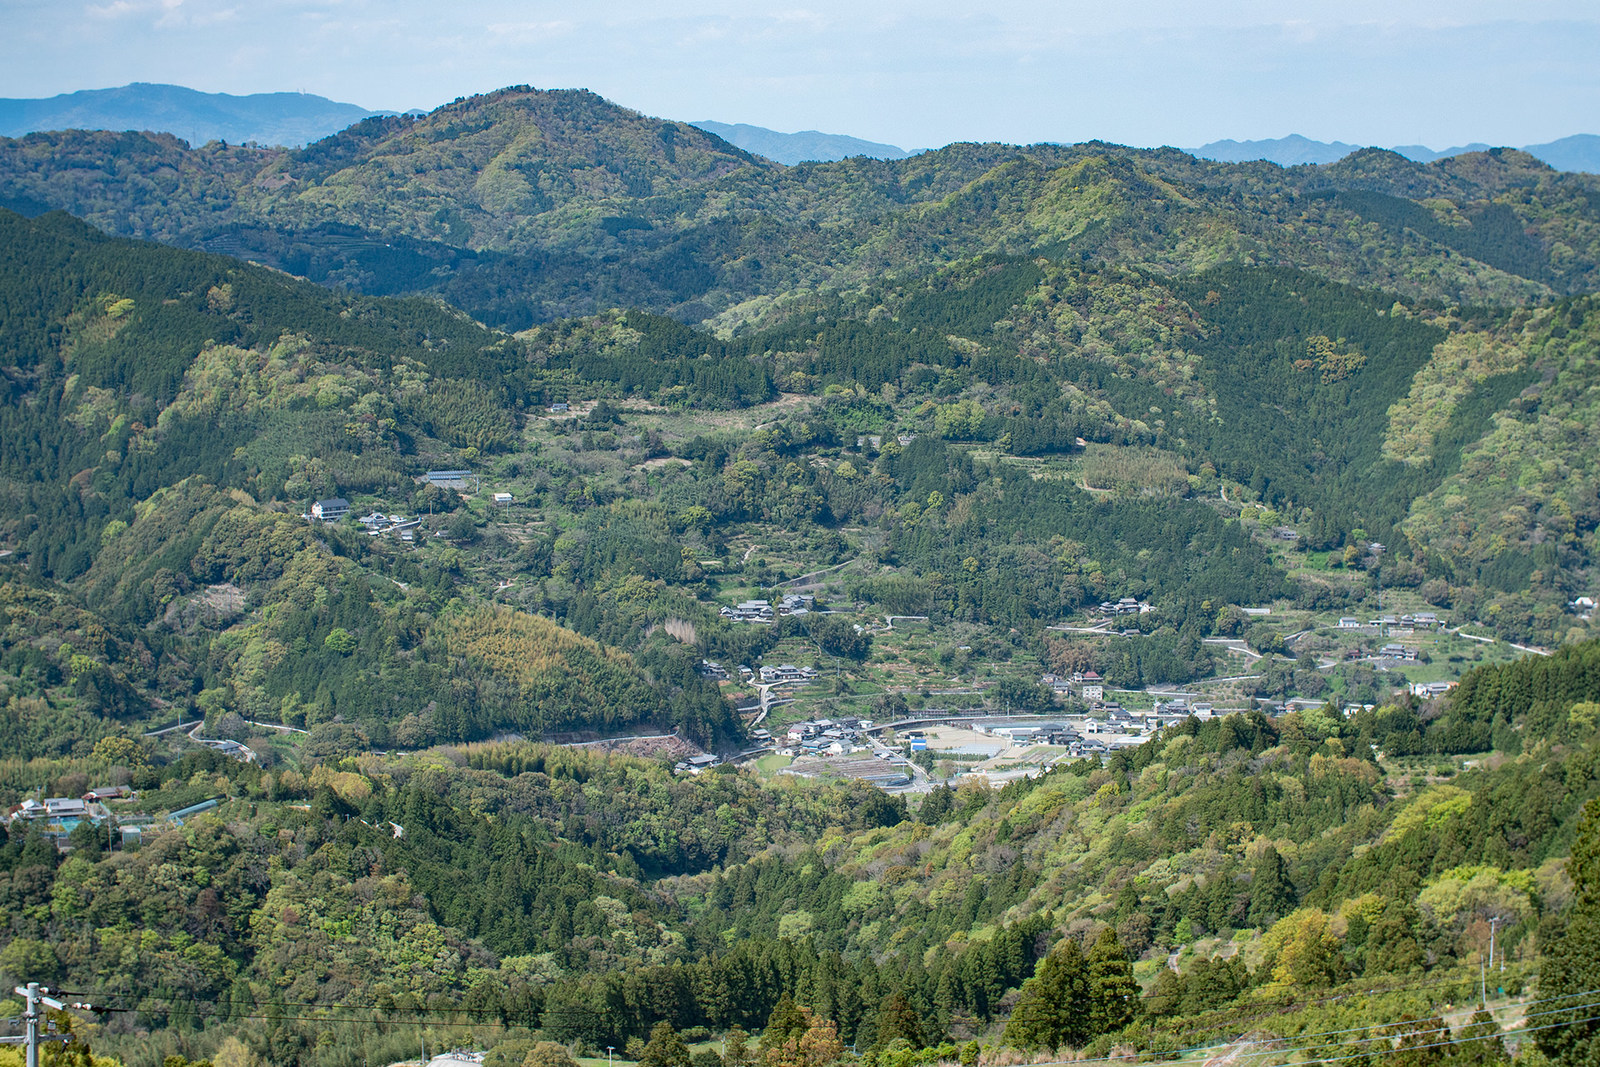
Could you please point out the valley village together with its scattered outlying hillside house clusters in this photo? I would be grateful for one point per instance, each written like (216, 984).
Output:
(929, 706)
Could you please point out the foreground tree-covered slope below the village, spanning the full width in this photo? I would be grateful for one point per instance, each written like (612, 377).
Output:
(1228, 879)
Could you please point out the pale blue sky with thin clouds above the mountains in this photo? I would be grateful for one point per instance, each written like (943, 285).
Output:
(914, 74)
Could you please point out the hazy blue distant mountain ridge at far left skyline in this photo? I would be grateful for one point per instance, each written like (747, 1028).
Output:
(278, 119)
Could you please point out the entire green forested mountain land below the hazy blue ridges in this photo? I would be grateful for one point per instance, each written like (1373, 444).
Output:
(396, 601)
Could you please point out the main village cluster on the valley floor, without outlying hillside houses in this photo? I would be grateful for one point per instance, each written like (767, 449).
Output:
(954, 729)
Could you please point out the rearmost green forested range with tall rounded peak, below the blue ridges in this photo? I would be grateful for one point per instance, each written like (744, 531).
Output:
(527, 206)
